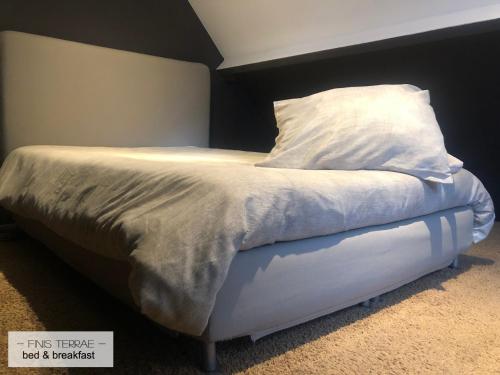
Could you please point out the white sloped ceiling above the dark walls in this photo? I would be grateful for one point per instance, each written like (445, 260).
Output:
(249, 31)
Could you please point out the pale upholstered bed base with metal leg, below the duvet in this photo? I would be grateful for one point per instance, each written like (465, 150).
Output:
(274, 287)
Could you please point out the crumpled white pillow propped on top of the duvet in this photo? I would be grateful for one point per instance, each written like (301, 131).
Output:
(386, 127)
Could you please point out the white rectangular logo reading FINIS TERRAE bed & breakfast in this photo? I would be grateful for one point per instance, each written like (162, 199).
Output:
(60, 349)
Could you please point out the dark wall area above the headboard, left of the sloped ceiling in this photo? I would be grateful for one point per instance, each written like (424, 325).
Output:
(167, 28)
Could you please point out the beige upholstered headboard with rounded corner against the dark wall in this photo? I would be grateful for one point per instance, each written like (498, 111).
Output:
(65, 93)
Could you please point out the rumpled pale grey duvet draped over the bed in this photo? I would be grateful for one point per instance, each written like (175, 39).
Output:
(179, 215)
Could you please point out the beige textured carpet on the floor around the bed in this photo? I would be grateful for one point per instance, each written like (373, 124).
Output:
(444, 323)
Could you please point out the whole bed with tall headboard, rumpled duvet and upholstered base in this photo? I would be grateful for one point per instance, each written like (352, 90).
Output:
(202, 241)
